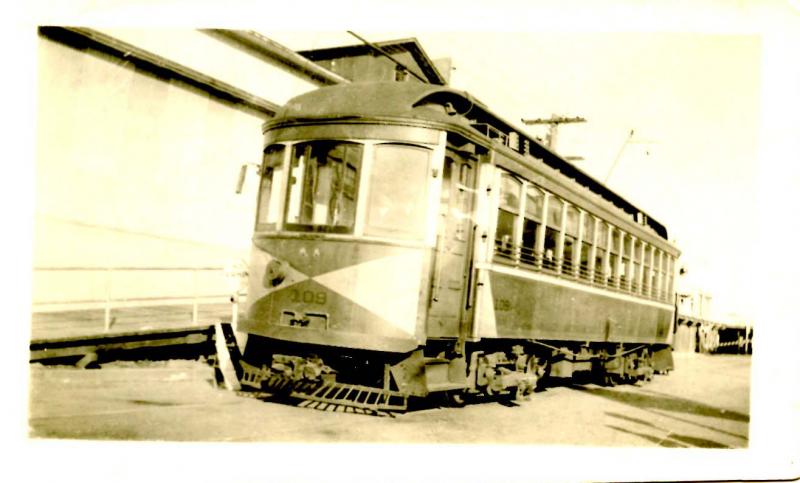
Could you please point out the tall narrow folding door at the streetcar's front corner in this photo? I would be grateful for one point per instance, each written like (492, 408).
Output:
(450, 313)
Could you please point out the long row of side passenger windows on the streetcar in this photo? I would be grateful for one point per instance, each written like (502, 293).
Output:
(539, 230)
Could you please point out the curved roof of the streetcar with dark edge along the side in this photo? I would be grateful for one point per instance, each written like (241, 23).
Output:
(426, 102)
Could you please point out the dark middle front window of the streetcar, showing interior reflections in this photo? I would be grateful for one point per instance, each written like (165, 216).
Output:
(323, 186)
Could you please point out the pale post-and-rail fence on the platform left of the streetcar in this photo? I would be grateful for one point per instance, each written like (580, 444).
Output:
(94, 280)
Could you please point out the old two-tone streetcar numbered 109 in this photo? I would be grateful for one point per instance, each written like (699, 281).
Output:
(409, 243)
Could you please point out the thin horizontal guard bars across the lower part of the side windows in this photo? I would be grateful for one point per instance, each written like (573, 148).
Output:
(529, 259)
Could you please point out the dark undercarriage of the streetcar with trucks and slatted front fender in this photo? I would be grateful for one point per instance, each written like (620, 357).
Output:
(385, 382)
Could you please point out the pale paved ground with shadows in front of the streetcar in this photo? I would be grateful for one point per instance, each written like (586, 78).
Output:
(704, 403)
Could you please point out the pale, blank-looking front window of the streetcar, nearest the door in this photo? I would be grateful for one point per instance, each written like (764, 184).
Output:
(398, 194)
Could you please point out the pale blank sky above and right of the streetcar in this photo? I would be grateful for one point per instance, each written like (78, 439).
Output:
(692, 99)
